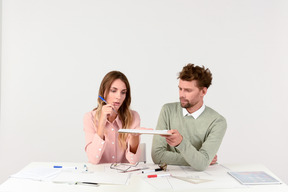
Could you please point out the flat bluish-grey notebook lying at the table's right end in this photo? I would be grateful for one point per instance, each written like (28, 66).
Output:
(254, 178)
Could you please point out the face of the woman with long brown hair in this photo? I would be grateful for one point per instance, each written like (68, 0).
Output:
(117, 93)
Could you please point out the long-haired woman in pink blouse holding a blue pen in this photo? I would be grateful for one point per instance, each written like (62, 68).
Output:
(103, 143)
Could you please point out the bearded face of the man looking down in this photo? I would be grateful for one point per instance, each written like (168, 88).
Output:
(189, 94)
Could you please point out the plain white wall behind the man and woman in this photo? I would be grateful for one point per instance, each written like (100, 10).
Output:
(55, 53)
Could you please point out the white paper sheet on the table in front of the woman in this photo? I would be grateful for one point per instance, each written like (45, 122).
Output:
(95, 177)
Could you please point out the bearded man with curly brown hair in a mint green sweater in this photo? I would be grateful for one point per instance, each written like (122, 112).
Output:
(197, 130)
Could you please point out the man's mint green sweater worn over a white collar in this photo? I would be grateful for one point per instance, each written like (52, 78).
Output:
(201, 137)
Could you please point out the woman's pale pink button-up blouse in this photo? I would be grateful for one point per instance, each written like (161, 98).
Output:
(108, 150)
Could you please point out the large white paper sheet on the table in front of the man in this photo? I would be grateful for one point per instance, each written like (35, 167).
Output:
(185, 177)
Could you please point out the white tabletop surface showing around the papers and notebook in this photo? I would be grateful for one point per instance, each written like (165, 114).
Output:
(139, 182)
